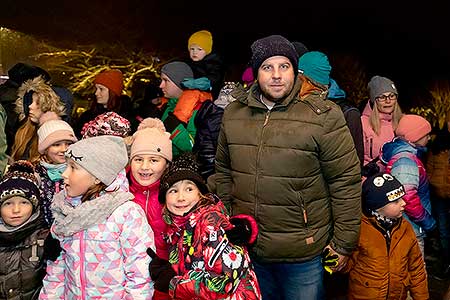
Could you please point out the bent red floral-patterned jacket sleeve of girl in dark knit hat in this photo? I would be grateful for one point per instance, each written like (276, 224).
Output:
(218, 275)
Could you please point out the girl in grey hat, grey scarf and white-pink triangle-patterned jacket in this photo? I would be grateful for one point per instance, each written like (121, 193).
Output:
(103, 234)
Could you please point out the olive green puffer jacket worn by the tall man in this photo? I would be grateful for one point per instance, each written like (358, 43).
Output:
(295, 169)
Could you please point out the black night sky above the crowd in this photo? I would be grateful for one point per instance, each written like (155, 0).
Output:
(407, 42)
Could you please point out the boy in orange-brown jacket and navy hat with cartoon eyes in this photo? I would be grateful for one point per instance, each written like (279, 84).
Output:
(387, 262)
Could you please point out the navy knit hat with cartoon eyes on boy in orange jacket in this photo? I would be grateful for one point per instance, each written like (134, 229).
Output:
(379, 190)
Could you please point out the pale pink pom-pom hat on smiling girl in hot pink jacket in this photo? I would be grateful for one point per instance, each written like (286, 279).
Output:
(152, 140)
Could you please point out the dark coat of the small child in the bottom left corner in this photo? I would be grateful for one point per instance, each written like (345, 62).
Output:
(22, 266)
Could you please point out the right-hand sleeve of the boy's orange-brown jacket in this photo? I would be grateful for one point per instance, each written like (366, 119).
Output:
(416, 269)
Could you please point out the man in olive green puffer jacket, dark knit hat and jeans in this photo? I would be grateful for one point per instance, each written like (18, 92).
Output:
(286, 157)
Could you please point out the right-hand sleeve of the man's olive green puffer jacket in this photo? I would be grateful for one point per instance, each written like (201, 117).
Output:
(341, 170)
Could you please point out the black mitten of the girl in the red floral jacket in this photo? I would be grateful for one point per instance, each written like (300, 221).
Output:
(161, 272)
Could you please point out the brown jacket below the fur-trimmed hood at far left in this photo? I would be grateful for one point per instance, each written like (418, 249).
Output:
(26, 143)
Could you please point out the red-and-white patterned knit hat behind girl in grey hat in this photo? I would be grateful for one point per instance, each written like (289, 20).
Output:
(109, 123)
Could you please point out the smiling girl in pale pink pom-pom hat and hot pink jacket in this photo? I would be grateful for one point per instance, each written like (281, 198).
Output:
(151, 152)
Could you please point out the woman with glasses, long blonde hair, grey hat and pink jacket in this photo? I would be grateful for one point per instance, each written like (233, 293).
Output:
(380, 116)
